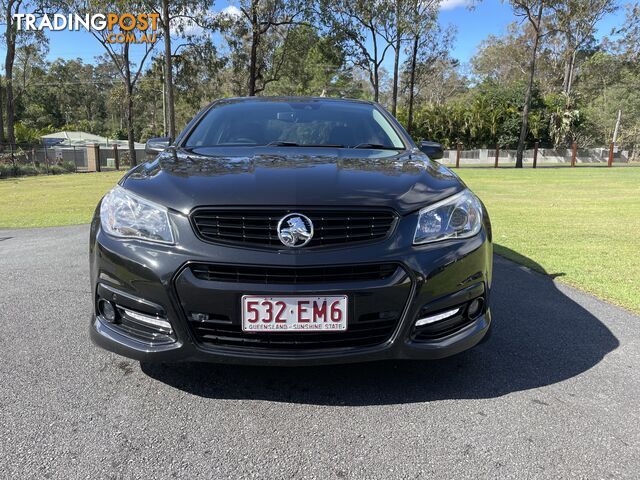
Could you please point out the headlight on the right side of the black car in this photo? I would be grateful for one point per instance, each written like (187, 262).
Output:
(459, 216)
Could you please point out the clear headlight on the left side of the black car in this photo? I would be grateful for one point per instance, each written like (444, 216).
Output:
(125, 215)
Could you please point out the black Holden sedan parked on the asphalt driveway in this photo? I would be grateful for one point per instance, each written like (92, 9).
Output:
(290, 231)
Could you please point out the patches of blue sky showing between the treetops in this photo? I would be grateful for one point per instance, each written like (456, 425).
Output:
(472, 26)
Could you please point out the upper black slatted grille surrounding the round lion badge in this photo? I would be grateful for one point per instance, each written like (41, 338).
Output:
(258, 227)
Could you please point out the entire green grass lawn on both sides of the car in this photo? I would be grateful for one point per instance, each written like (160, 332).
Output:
(581, 225)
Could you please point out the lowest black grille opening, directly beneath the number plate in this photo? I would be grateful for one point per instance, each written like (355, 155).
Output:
(367, 331)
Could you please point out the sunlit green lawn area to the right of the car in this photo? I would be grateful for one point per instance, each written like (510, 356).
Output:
(580, 225)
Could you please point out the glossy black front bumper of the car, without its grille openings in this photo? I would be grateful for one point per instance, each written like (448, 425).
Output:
(156, 280)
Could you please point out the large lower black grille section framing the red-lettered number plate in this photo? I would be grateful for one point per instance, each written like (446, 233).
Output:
(213, 307)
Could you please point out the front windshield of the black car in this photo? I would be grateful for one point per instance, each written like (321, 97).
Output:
(312, 123)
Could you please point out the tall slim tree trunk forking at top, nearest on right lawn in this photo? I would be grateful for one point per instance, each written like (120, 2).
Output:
(532, 11)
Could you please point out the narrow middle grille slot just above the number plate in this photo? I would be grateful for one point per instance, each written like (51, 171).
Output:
(292, 275)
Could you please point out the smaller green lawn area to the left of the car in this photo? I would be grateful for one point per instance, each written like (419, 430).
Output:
(46, 201)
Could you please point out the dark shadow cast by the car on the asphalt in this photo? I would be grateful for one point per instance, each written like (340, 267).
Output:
(540, 337)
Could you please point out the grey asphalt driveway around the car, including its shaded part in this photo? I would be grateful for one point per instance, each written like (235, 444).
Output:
(554, 393)
